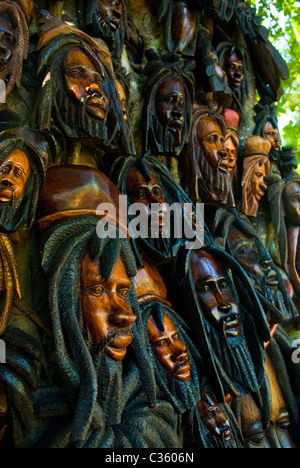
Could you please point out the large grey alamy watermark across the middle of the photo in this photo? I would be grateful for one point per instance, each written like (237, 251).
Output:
(153, 221)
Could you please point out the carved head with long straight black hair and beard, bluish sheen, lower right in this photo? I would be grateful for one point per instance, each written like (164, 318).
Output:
(222, 328)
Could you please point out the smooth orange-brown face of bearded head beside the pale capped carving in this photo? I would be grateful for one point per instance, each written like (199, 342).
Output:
(212, 142)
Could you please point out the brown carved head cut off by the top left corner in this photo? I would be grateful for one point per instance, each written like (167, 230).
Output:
(15, 17)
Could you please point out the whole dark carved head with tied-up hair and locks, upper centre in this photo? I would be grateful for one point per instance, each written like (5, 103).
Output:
(167, 110)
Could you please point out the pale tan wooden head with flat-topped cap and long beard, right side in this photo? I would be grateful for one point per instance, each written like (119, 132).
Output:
(256, 169)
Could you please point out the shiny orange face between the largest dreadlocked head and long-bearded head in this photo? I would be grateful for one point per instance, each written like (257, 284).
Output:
(169, 349)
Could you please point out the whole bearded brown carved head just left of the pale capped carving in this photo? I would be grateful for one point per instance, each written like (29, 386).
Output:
(205, 159)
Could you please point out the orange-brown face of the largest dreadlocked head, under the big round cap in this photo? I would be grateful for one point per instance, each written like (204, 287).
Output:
(106, 314)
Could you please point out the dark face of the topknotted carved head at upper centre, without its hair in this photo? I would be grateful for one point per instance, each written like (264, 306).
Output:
(170, 103)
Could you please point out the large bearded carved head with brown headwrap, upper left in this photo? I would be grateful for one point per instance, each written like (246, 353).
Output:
(79, 95)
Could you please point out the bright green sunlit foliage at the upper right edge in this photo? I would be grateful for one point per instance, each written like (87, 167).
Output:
(282, 19)
